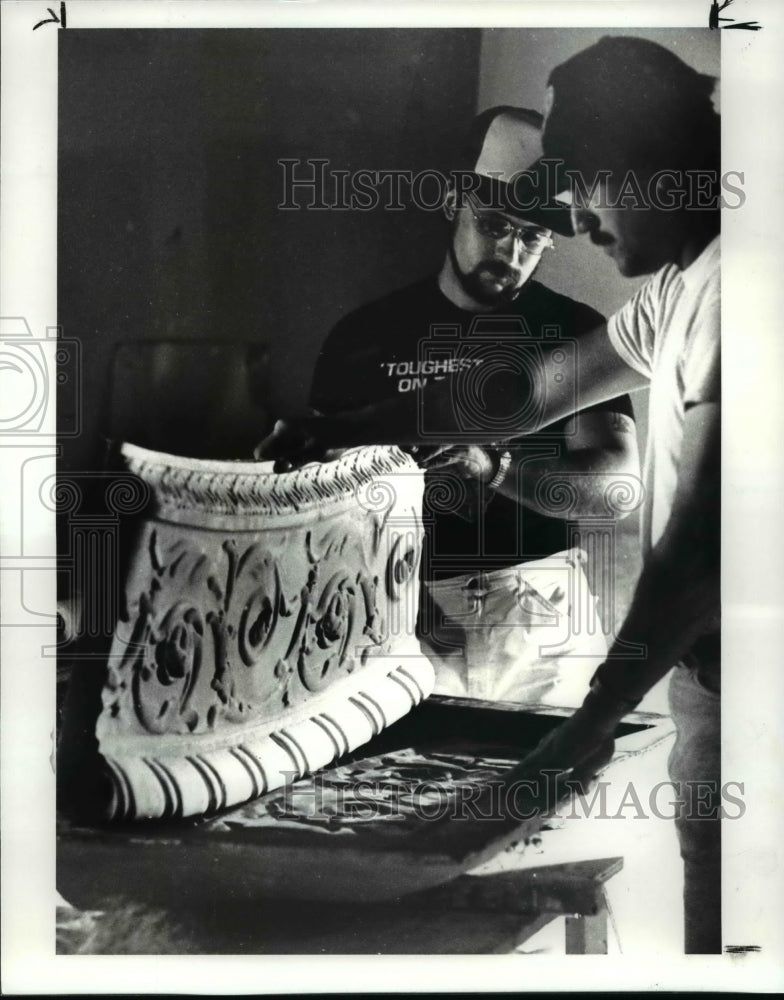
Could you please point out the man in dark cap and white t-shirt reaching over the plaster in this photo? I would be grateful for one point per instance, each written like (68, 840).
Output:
(637, 129)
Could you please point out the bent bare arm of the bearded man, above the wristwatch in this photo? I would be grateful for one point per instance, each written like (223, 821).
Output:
(595, 472)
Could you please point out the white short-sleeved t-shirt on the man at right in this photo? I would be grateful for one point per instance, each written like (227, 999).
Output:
(670, 332)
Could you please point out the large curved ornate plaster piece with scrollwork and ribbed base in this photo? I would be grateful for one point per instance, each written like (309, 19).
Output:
(267, 627)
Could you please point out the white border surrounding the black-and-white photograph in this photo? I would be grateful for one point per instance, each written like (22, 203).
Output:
(753, 352)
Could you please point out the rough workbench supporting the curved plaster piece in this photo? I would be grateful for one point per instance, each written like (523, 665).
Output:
(224, 883)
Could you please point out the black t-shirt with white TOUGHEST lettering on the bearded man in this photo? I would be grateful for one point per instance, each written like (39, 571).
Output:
(402, 341)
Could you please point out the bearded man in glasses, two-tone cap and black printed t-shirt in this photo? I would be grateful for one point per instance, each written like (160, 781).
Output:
(507, 613)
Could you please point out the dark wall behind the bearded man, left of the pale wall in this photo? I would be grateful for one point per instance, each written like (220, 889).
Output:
(169, 186)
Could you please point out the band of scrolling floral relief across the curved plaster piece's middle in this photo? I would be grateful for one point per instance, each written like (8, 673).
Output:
(210, 608)
